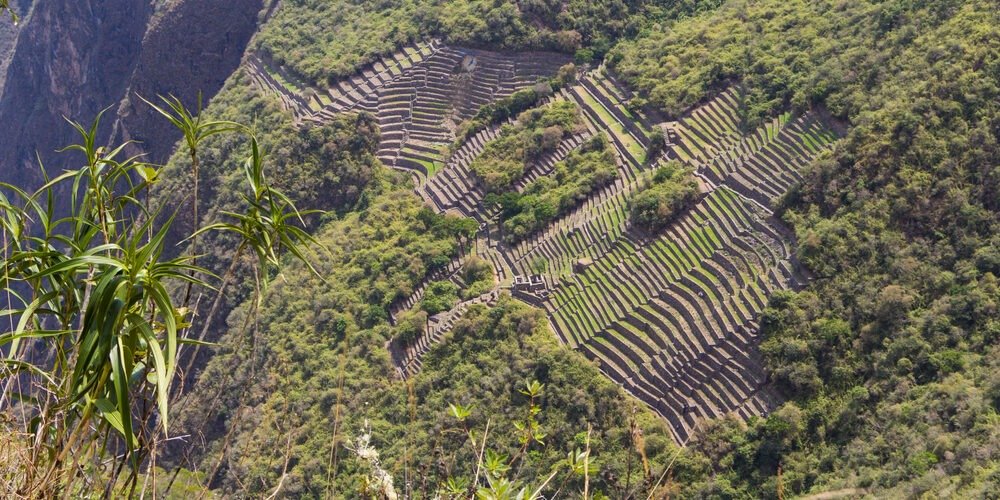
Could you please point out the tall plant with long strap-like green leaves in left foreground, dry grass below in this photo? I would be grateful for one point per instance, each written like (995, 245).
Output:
(93, 327)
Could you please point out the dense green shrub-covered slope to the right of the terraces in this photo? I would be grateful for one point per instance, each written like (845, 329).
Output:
(890, 355)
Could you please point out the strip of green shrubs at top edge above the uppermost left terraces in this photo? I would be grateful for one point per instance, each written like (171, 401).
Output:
(324, 40)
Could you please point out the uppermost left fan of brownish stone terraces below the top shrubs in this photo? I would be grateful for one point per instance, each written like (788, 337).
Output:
(419, 95)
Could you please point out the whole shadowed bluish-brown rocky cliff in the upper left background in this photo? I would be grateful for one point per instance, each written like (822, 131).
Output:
(75, 57)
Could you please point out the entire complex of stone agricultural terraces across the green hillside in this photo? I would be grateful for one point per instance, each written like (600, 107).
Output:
(671, 316)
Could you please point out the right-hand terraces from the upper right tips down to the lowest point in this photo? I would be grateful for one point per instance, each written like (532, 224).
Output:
(672, 316)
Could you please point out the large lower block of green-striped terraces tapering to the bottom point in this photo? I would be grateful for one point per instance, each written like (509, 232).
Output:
(672, 318)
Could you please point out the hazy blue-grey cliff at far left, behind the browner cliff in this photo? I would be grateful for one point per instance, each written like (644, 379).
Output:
(72, 58)
